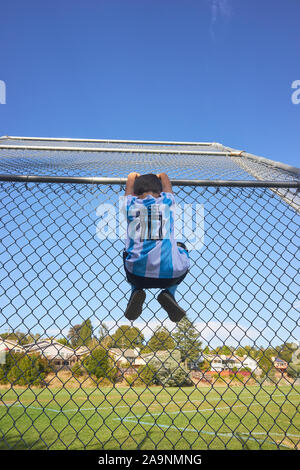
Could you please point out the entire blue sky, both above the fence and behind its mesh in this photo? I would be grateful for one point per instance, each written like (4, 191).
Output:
(206, 70)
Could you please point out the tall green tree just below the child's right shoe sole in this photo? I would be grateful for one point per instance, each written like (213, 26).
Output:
(186, 341)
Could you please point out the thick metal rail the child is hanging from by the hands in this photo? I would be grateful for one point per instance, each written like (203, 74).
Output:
(175, 182)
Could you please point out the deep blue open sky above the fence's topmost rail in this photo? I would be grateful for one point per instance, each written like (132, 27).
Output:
(205, 70)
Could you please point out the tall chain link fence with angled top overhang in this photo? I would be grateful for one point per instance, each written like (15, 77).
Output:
(75, 374)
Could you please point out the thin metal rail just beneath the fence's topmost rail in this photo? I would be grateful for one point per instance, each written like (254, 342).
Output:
(118, 150)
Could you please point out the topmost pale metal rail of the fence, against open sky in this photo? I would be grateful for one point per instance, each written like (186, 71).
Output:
(108, 141)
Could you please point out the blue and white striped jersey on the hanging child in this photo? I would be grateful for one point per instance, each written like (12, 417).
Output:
(150, 243)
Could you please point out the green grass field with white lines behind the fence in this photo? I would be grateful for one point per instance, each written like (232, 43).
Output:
(150, 418)
